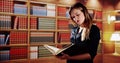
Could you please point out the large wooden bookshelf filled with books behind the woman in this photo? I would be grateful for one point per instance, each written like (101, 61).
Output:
(25, 25)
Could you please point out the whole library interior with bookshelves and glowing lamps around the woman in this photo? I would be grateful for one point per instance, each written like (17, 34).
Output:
(26, 25)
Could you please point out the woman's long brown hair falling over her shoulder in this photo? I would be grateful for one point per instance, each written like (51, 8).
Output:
(88, 19)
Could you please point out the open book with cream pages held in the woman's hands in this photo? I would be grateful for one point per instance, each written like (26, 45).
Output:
(58, 52)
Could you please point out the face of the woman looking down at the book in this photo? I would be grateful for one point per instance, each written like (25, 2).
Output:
(78, 16)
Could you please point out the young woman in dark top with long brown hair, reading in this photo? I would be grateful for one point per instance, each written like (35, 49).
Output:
(85, 36)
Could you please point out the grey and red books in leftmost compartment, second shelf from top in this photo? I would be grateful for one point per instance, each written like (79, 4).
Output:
(11, 22)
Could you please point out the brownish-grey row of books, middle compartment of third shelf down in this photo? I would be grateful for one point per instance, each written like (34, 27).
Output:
(36, 37)
